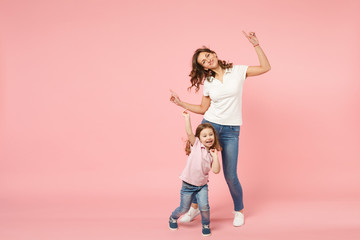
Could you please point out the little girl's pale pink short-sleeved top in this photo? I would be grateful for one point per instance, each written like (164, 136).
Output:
(198, 165)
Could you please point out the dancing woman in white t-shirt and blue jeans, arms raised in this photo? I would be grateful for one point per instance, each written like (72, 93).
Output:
(221, 105)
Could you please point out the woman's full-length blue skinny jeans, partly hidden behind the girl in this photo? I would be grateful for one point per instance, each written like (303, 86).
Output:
(229, 141)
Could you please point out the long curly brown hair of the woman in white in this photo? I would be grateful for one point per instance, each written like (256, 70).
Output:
(198, 74)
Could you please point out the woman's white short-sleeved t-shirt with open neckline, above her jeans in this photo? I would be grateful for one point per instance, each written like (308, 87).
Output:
(226, 97)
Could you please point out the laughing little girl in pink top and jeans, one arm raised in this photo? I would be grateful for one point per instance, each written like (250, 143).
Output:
(202, 150)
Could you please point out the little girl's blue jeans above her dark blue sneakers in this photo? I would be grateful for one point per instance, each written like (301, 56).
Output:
(188, 193)
